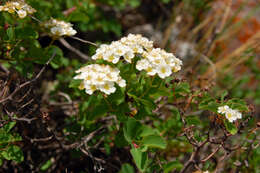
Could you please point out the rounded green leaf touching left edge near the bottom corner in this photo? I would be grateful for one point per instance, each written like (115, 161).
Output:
(13, 152)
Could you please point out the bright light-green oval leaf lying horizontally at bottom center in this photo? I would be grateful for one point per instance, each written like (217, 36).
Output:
(154, 141)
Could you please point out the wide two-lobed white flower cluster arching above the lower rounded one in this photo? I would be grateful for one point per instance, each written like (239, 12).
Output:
(155, 60)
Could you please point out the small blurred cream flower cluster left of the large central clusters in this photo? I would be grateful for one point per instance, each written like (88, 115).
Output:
(59, 28)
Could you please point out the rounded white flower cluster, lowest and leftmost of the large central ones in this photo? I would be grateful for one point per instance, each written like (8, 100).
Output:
(99, 77)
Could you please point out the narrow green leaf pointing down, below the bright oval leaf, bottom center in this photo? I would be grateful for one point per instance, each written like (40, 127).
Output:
(140, 159)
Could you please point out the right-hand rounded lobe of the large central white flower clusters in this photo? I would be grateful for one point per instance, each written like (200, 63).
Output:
(158, 61)
